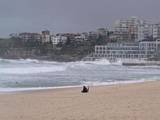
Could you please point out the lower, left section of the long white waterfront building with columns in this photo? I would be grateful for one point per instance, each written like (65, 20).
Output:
(117, 50)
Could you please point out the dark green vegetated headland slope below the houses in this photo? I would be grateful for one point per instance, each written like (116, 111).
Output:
(71, 50)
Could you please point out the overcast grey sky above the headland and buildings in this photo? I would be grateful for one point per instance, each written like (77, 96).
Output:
(70, 15)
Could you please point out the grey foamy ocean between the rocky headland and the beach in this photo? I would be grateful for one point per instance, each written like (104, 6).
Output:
(29, 74)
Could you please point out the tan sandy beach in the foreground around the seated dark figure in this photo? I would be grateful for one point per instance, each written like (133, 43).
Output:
(140, 101)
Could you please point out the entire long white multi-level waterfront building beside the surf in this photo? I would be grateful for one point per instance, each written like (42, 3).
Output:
(139, 50)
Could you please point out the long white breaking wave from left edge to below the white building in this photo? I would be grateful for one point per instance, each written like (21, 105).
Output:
(33, 66)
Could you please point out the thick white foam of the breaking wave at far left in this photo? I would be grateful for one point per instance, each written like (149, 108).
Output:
(28, 66)
